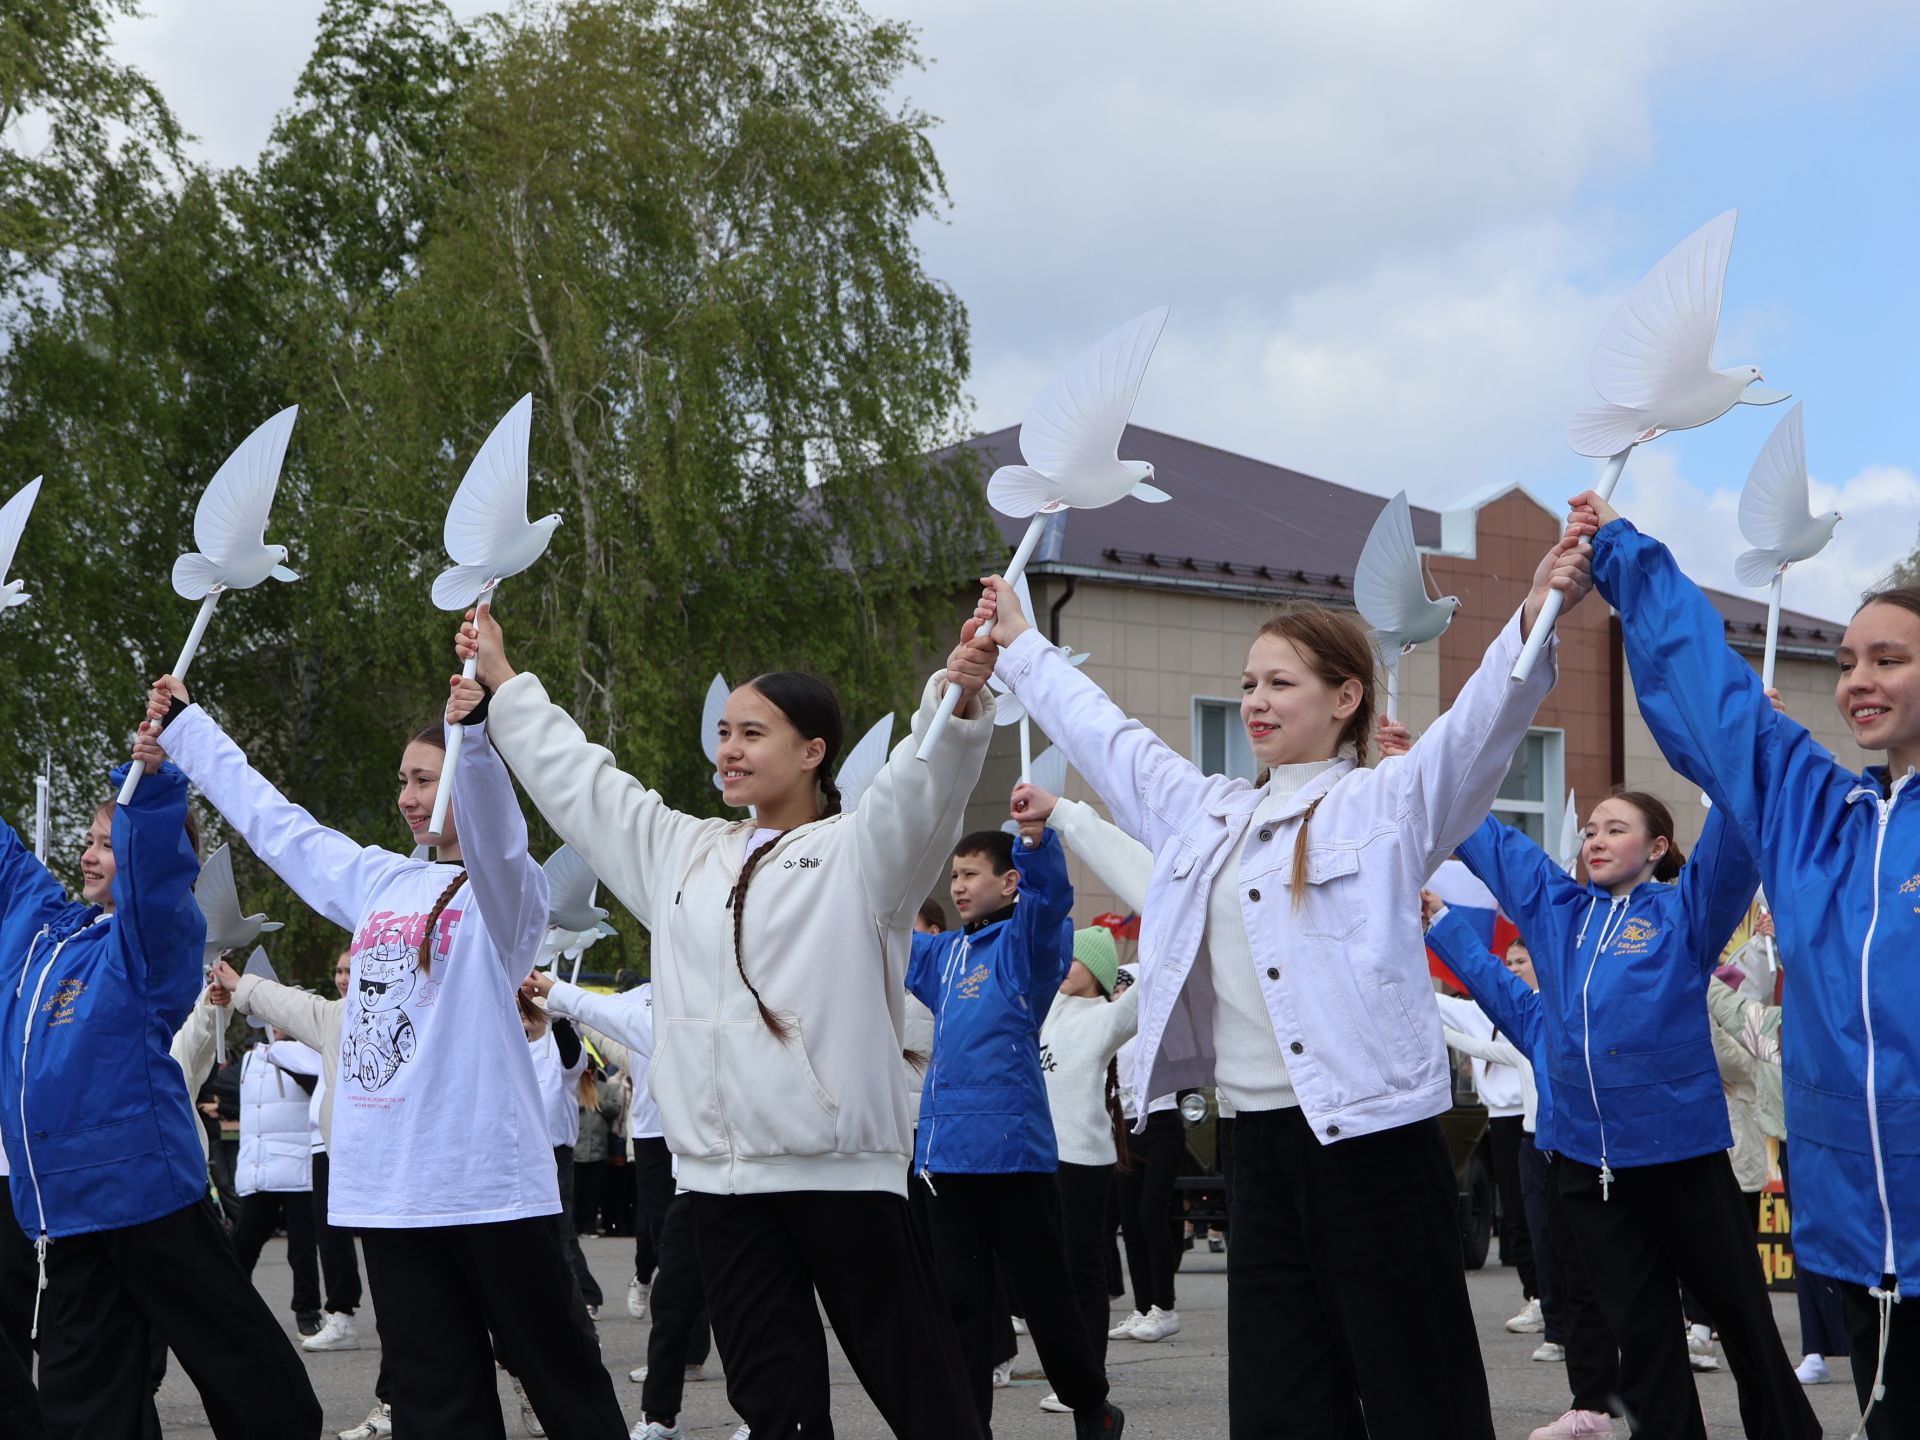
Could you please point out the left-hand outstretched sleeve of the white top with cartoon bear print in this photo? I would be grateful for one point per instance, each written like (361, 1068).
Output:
(329, 873)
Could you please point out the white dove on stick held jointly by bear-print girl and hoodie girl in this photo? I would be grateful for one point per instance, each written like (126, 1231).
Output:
(489, 540)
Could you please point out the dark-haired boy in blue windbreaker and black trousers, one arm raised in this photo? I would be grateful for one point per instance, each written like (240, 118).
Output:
(986, 1143)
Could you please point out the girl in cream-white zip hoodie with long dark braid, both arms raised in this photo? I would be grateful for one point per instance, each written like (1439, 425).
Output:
(779, 969)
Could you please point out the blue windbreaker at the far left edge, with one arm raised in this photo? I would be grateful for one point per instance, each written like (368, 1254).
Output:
(97, 1120)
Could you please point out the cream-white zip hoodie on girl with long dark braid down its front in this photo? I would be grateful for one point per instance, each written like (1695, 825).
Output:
(827, 928)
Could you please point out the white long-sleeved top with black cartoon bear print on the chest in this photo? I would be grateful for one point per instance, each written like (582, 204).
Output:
(437, 1118)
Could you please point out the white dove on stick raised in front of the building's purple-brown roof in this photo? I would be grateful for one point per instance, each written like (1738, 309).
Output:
(1070, 443)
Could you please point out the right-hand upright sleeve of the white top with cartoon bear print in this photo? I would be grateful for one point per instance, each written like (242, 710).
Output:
(508, 884)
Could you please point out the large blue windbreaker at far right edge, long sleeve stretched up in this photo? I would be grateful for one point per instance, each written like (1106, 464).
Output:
(1840, 855)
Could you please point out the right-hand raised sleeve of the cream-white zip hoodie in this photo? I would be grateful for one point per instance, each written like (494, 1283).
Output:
(911, 817)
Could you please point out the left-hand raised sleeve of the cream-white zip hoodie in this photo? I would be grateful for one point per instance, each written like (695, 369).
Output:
(623, 830)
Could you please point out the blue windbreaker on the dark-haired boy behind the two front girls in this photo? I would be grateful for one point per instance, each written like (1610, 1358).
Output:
(984, 1107)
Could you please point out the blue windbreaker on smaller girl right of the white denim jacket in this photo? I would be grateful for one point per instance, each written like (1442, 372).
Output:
(1623, 994)
